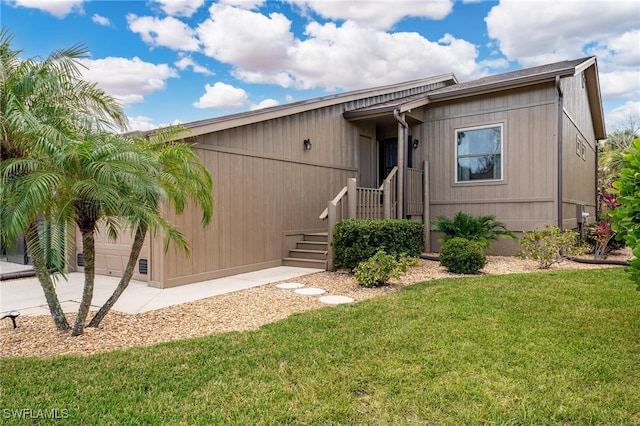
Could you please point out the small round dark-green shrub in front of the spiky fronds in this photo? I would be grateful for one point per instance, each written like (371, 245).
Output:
(462, 256)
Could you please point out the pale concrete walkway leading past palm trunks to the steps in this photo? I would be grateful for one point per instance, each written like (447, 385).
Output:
(25, 295)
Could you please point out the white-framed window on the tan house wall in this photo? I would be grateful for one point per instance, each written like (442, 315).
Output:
(479, 153)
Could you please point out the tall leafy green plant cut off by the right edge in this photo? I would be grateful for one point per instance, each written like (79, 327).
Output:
(626, 215)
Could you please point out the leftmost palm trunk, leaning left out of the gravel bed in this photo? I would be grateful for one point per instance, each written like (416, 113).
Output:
(48, 287)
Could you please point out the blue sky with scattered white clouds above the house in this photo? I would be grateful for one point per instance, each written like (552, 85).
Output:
(176, 61)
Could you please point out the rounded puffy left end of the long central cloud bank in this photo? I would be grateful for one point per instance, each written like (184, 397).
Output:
(246, 39)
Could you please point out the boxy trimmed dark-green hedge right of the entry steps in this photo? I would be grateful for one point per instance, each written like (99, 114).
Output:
(356, 240)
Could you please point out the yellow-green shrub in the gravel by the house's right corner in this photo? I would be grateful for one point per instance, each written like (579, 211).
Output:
(547, 246)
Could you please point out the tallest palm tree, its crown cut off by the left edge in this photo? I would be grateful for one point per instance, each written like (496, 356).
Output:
(45, 102)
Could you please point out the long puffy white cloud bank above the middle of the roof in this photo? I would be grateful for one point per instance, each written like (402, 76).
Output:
(263, 50)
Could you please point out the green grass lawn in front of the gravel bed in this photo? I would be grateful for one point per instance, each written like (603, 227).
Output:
(544, 348)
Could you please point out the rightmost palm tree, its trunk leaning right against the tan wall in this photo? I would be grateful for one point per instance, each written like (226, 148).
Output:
(181, 178)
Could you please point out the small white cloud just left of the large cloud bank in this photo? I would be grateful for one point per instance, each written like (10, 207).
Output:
(167, 32)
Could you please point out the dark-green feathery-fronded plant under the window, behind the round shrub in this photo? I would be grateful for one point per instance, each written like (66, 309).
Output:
(482, 229)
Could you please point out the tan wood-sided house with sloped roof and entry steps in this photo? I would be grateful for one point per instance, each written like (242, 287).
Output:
(521, 146)
